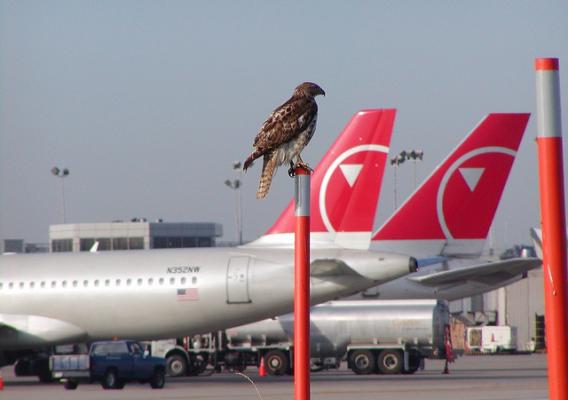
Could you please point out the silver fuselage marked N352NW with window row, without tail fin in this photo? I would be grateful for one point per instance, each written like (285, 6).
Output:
(59, 298)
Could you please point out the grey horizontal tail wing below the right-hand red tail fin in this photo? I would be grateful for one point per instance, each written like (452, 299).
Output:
(488, 273)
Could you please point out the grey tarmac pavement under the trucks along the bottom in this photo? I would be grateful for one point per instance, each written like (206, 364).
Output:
(515, 377)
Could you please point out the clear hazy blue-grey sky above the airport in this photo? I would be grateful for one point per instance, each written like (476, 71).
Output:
(148, 103)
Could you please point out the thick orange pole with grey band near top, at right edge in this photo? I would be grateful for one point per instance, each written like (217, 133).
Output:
(553, 219)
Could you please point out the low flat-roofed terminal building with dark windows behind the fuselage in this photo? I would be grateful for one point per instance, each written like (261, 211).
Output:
(137, 234)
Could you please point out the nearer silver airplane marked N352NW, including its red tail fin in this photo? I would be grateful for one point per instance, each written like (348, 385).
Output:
(57, 298)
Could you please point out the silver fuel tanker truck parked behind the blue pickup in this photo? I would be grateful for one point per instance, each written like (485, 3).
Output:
(387, 337)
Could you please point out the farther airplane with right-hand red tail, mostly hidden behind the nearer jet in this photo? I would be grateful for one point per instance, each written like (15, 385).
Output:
(445, 222)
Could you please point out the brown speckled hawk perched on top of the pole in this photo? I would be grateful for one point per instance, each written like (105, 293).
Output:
(285, 133)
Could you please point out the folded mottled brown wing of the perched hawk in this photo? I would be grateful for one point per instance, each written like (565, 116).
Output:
(285, 123)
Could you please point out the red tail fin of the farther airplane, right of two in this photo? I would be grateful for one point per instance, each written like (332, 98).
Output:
(451, 212)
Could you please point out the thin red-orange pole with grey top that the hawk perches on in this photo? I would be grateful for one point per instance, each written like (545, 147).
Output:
(302, 287)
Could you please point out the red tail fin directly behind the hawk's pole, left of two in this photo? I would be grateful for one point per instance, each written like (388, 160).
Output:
(345, 186)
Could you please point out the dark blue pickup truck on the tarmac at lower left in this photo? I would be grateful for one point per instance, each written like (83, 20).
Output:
(113, 363)
